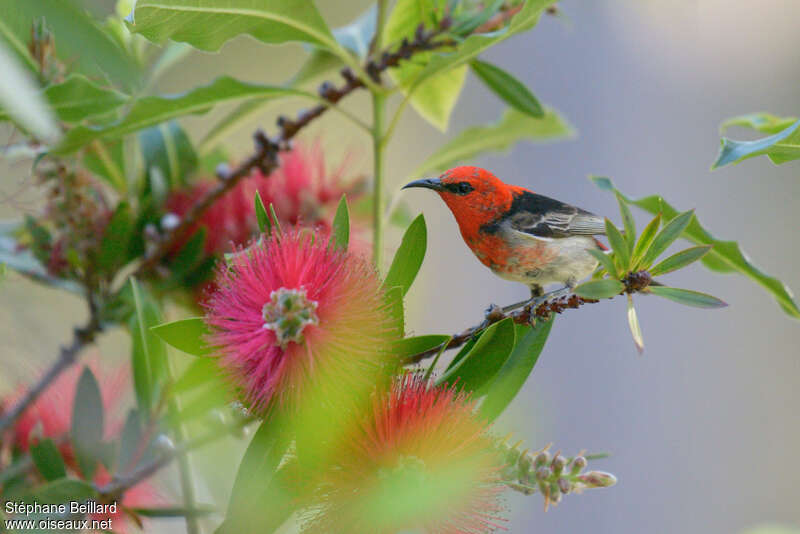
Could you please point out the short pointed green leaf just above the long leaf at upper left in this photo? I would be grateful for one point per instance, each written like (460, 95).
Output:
(77, 99)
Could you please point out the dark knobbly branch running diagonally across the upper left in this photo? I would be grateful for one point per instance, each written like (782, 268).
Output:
(267, 151)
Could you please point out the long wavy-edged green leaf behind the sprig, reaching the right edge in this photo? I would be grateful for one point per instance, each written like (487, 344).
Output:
(724, 257)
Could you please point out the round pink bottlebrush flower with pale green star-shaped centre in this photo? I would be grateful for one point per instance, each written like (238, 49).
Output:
(293, 313)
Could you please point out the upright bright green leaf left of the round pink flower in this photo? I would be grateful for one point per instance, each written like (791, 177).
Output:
(149, 355)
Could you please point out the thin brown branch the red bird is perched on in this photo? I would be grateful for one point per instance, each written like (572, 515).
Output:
(634, 283)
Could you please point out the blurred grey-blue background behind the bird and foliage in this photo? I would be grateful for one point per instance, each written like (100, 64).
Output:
(703, 429)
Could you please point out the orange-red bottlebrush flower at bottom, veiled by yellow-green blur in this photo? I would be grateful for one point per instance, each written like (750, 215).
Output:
(420, 461)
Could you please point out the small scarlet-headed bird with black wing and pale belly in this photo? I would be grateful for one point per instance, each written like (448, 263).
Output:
(518, 234)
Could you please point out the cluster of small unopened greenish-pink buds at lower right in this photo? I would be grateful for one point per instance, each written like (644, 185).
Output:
(553, 475)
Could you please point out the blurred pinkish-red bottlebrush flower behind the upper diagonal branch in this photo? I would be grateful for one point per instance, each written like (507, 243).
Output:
(302, 191)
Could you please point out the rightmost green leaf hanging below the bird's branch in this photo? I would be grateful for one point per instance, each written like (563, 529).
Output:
(515, 371)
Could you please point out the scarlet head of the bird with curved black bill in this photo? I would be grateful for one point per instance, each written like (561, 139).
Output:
(474, 195)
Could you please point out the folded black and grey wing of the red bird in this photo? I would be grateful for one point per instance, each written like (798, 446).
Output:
(542, 216)
